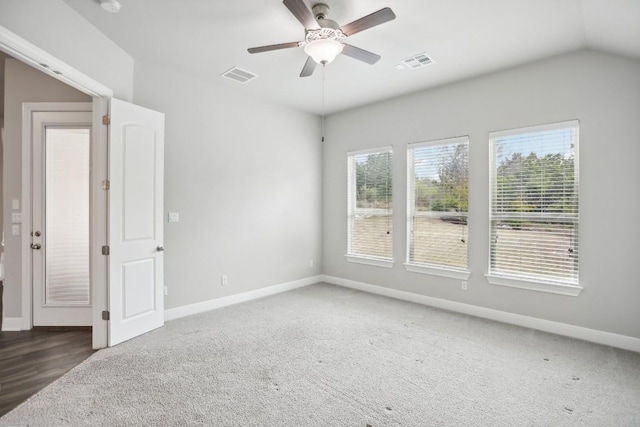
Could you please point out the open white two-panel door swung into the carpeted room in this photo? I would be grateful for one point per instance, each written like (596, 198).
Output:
(136, 173)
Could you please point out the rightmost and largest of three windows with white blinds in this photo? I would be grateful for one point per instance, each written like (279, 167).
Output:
(534, 208)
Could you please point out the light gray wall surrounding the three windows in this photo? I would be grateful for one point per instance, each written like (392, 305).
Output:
(602, 91)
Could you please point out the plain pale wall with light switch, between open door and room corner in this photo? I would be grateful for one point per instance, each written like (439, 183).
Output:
(245, 177)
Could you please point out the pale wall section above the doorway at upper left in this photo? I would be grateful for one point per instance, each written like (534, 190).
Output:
(59, 30)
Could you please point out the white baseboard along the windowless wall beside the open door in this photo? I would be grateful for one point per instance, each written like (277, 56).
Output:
(201, 307)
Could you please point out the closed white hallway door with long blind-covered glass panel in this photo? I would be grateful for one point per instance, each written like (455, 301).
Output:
(60, 237)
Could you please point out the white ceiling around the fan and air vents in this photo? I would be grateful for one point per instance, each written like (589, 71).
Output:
(465, 38)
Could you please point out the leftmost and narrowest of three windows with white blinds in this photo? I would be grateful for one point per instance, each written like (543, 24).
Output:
(370, 213)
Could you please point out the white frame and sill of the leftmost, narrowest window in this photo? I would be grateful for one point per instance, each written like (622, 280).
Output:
(351, 206)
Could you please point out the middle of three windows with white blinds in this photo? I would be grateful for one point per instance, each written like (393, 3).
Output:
(438, 200)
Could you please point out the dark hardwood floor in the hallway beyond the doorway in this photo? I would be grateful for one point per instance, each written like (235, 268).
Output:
(30, 360)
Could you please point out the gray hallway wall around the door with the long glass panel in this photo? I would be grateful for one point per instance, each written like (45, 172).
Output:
(22, 84)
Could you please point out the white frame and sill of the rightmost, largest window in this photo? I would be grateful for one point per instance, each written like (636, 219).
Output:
(519, 280)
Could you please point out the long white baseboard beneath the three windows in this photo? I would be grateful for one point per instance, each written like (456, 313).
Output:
(593, 335)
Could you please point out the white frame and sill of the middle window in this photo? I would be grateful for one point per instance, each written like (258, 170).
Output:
(428, 268)
